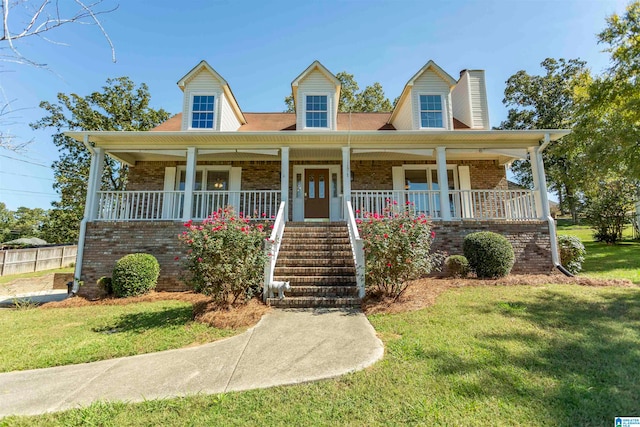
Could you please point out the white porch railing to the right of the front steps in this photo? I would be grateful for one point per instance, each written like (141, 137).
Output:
(463, 204)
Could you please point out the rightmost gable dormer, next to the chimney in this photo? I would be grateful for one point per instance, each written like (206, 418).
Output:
(425, 102)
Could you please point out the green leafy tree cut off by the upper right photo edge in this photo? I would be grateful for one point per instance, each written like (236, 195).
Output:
(609, 120)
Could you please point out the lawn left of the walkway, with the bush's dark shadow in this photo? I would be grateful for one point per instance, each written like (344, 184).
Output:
(39, 338)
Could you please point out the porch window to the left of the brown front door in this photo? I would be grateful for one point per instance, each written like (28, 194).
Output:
(210, 191)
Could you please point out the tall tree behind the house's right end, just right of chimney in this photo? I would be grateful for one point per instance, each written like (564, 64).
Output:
(549, 102)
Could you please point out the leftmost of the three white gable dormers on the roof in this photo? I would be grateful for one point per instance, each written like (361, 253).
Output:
(208, 103)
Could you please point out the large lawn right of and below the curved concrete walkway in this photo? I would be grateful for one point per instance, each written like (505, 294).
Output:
(557, 355)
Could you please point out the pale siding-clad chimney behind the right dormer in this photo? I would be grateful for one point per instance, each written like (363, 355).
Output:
(470, 100)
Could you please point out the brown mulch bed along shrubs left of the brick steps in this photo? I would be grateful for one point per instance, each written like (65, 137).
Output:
(222, 316)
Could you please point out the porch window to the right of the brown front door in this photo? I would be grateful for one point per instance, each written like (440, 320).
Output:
(423, 191)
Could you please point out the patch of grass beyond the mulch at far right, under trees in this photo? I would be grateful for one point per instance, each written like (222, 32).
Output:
(621, 261)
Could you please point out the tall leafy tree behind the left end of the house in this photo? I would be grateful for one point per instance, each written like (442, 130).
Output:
(119, 107)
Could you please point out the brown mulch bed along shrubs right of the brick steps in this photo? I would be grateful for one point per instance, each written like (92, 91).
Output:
(424, 292)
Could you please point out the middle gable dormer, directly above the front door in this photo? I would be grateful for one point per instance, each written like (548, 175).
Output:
(315, 96)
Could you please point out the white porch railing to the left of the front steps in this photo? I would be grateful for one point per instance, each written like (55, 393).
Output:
(169, 205)
